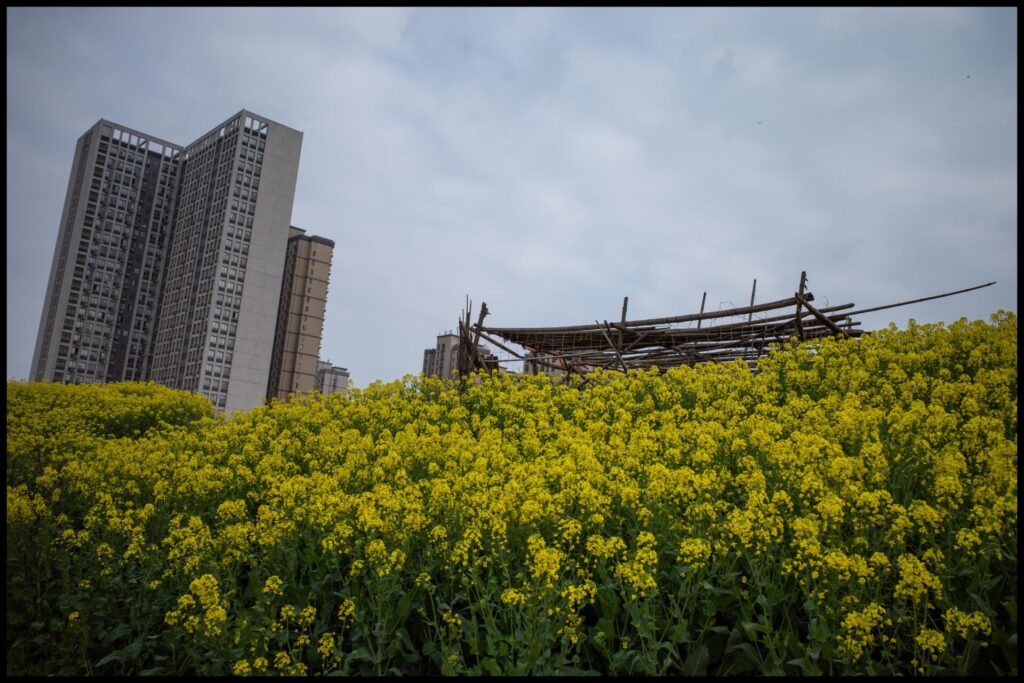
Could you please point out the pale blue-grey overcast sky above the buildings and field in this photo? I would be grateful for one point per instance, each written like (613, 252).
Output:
(550, 162)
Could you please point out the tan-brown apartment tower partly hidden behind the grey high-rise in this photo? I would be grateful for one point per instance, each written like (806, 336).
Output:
(301, 317)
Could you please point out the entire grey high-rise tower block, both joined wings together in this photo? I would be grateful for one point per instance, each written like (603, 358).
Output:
(168, 260)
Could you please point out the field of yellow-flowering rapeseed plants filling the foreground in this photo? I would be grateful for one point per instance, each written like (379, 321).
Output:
(849, 508)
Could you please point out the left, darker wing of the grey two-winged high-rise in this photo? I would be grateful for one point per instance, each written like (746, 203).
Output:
(101, 307)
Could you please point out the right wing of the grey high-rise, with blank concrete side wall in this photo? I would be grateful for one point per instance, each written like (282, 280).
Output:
(226, 262)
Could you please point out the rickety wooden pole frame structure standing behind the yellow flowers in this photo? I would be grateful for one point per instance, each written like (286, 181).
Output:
(664, 343)
